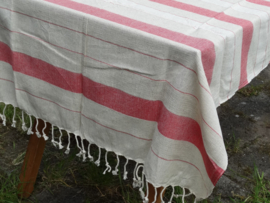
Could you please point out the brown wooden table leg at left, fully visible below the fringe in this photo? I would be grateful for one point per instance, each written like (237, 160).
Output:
(32, 161)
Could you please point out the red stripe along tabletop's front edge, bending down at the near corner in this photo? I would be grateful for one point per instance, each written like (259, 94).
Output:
(205, 46)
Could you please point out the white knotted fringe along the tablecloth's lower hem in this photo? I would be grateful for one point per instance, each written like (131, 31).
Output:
(140, 182)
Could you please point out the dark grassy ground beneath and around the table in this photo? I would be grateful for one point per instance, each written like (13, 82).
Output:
(245, 123)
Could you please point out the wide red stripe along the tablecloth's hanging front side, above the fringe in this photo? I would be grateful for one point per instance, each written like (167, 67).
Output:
(169, 125)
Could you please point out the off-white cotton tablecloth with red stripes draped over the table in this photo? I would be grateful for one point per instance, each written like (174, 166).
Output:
(141, 78)
